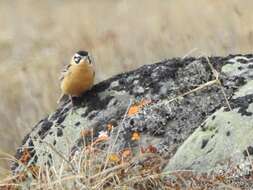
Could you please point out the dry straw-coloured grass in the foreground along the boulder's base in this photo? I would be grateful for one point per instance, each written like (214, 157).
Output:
(124, 170)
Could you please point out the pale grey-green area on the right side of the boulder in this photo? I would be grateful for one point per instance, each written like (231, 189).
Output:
(225, 137)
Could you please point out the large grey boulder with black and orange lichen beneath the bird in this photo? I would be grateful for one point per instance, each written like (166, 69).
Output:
(196, 113)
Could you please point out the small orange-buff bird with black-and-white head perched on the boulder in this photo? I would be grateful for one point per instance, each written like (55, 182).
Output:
(78, 76)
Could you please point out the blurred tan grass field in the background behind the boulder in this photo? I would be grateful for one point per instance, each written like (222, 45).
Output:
(38, 37)
